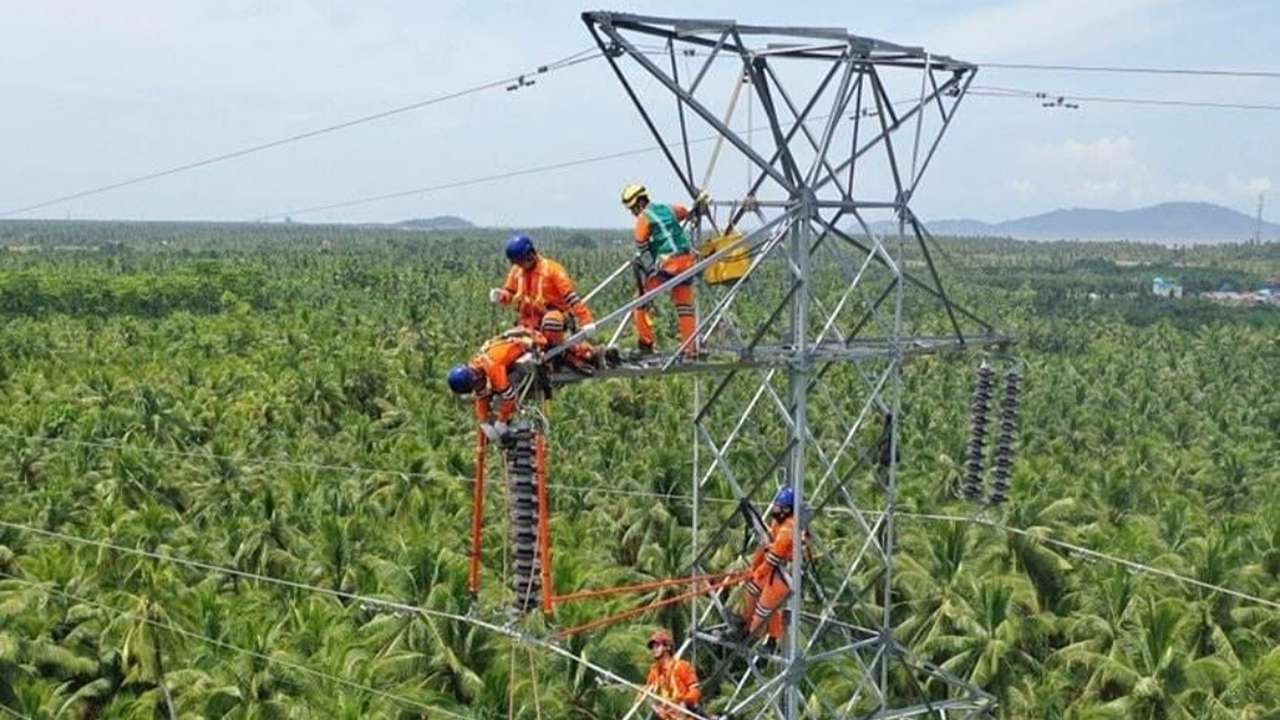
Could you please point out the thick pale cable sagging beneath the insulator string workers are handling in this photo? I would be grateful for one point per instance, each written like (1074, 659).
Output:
(368, 601)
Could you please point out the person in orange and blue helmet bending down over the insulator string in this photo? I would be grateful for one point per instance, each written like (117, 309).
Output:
(488, 377)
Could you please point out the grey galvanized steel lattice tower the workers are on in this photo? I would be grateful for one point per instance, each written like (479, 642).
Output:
(796, 236)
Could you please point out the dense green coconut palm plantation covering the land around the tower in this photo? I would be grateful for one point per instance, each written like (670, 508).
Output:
(203, 390)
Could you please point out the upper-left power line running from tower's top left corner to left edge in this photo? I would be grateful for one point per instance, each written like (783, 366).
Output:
(522, 80)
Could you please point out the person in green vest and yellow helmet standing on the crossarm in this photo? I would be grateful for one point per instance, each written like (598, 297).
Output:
(664, 253)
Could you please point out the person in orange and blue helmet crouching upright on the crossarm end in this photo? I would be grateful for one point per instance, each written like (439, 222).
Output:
(546, 300)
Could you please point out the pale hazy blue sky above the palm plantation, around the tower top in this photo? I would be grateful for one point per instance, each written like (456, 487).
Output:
(97, 93)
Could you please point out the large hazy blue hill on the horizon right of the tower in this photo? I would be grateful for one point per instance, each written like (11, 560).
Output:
(1168, 222)
